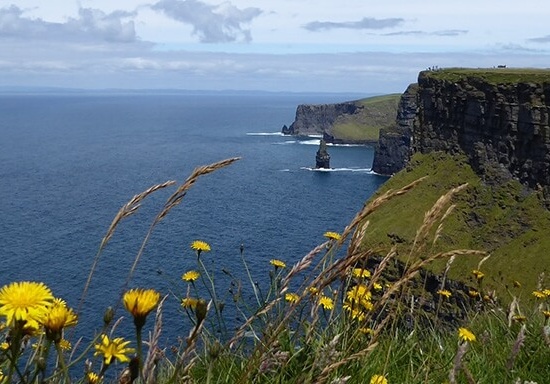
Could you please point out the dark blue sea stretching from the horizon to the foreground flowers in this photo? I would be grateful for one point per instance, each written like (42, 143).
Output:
(68, 162)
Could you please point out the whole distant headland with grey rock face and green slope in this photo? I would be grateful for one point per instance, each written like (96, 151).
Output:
(357, 122)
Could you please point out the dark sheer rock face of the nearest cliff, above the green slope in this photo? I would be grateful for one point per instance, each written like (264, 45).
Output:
(503, 129)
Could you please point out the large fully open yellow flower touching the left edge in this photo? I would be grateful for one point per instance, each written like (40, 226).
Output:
(24, 301)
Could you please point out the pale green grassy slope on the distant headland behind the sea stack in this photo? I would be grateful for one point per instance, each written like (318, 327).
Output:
(378, 112)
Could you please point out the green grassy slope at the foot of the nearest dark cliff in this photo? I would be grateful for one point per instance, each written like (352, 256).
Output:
(505, 220)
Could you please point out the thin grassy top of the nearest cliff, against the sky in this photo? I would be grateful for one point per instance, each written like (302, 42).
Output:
(492, 75)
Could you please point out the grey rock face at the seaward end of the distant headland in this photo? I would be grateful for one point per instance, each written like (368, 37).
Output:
(318, 119)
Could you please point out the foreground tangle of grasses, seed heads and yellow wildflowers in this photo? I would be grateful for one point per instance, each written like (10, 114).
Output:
(334, 316)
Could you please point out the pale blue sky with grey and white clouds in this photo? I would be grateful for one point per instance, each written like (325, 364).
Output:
(271, 45)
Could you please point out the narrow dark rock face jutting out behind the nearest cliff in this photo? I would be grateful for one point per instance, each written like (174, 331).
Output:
(394, 145)
